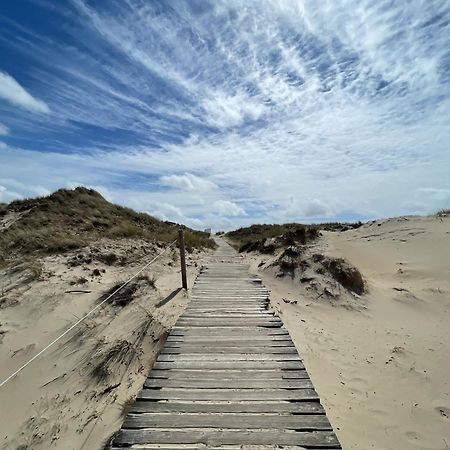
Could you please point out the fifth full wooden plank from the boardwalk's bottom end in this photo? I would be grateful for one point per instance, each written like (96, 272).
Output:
(200, 382)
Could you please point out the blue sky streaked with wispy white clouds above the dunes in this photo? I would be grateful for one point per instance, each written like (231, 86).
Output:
(225, 113)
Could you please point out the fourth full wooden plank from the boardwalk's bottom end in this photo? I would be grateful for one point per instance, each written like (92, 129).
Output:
(228, 394)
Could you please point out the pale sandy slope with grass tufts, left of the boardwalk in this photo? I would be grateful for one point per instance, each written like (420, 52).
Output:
(65, 399)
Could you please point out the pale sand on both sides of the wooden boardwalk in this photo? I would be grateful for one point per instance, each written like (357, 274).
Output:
(380, 362)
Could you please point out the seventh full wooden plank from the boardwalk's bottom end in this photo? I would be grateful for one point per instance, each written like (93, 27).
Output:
(207, 365)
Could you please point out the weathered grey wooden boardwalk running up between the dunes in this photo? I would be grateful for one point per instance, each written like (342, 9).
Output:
(228, 376)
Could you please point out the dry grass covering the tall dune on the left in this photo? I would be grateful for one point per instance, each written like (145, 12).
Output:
(71, 219)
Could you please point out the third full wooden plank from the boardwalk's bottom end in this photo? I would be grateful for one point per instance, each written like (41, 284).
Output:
(280, 407)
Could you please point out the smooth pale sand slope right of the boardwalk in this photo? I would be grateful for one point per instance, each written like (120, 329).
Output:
(382, 364)
